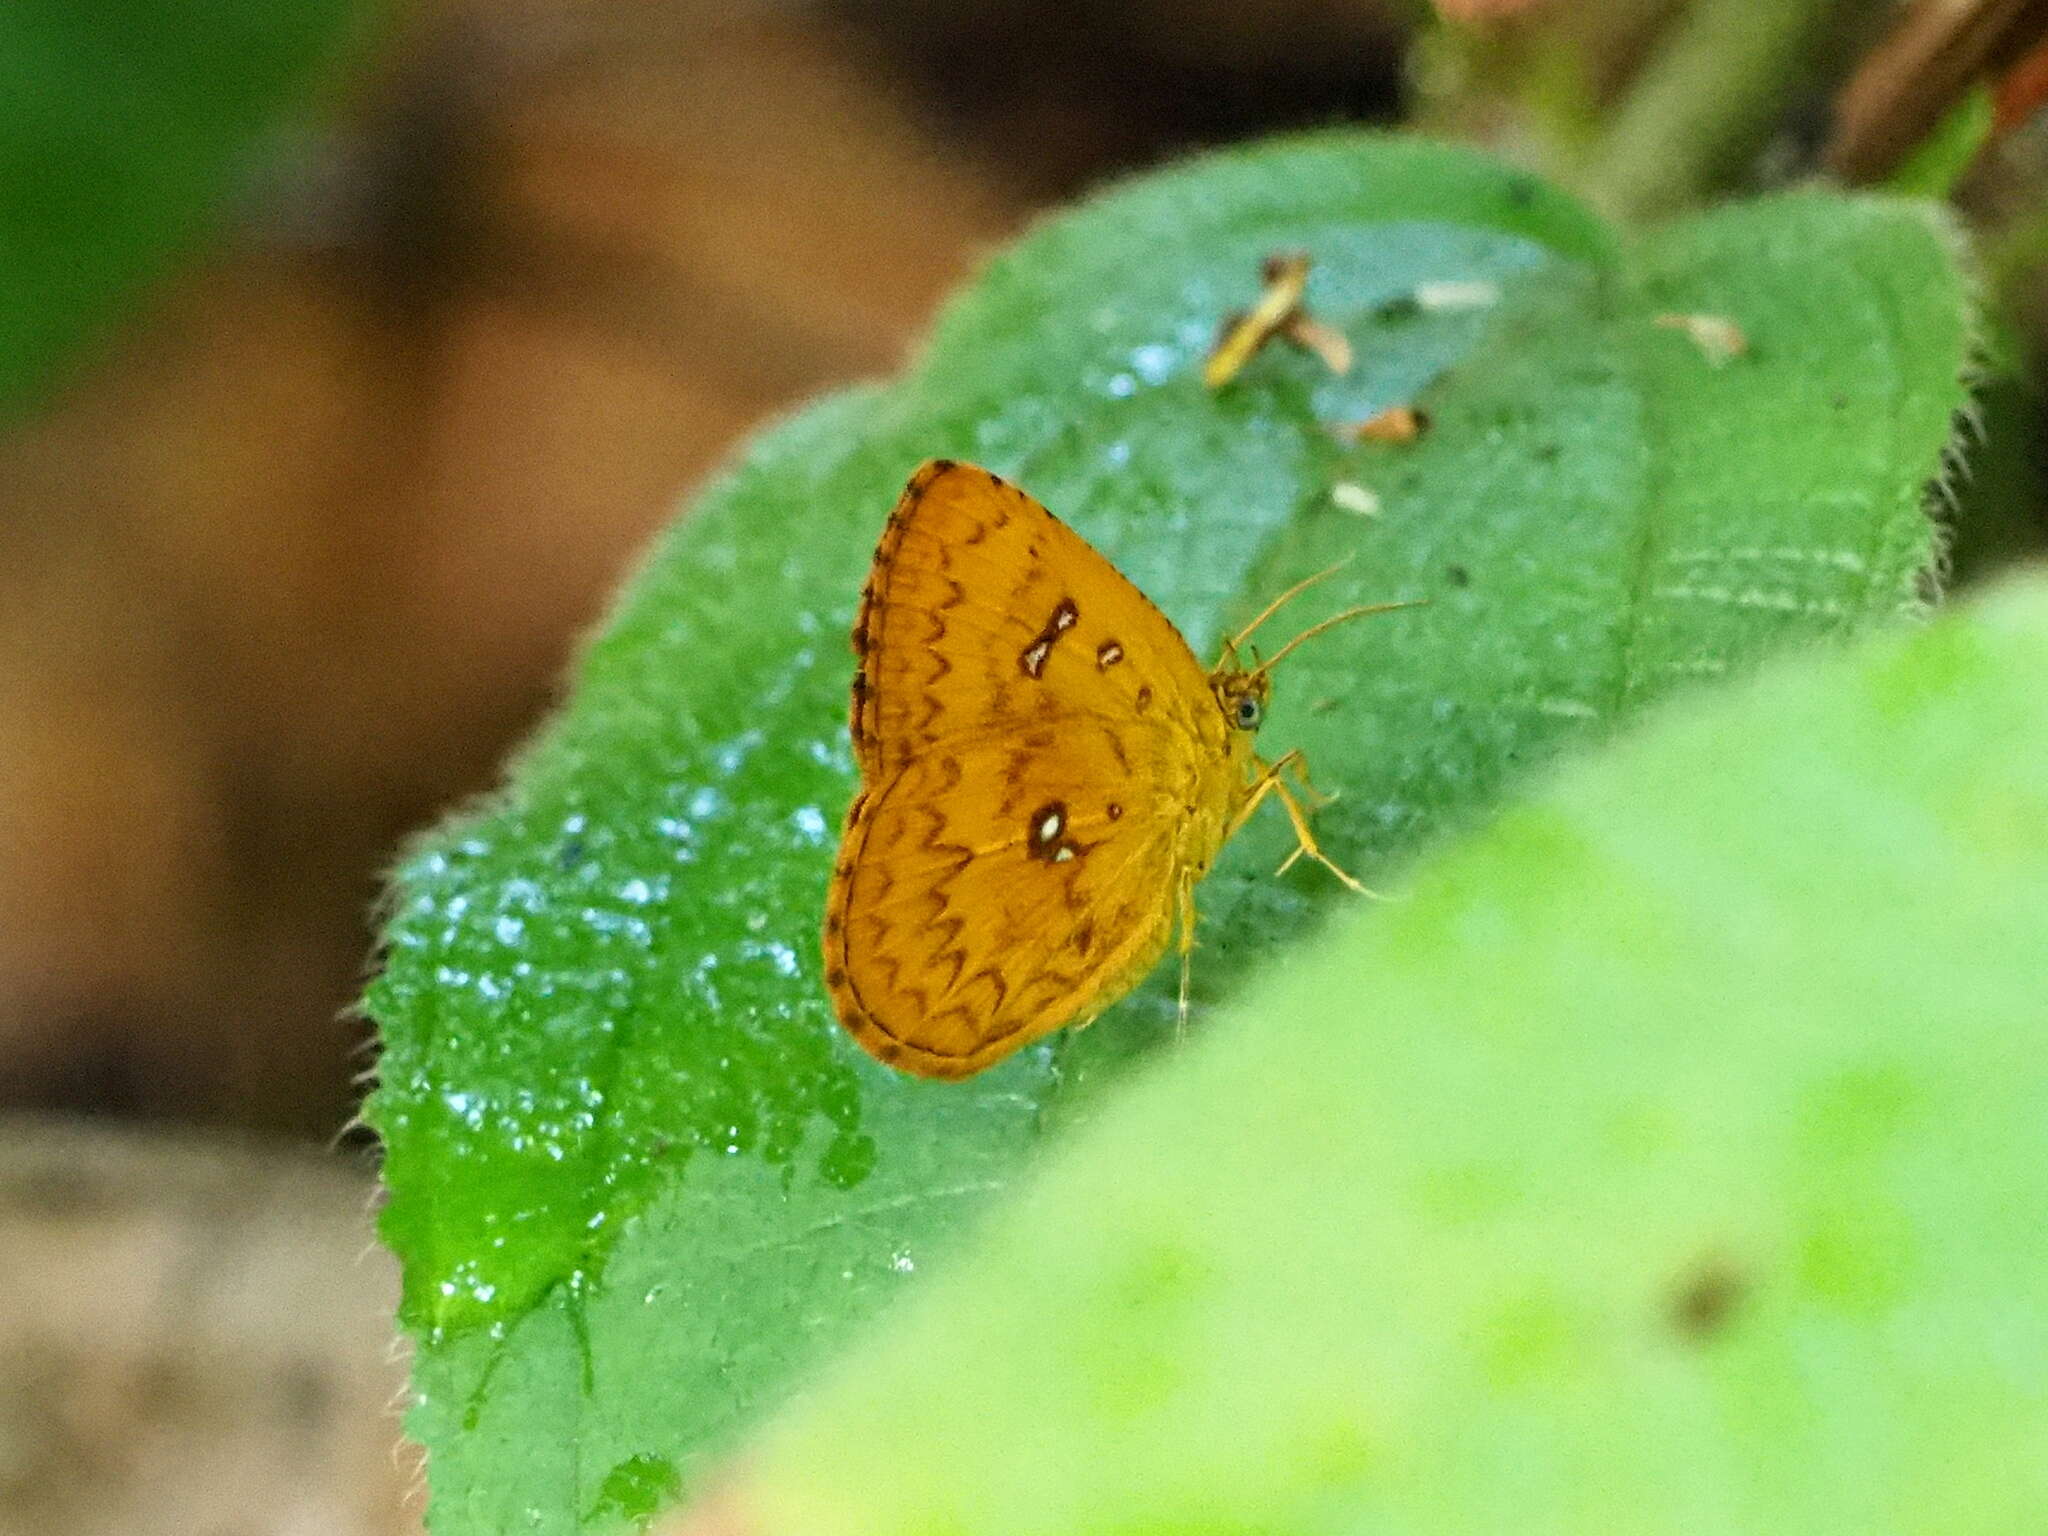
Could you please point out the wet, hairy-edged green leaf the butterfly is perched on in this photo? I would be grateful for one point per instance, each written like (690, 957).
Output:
(638, 1175)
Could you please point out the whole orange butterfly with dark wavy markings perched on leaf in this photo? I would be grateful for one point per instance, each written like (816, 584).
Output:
(1046, 773)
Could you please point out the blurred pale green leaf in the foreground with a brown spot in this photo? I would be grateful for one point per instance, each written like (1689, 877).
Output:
(1672, 1162)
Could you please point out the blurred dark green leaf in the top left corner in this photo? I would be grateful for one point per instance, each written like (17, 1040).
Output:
(124, 126)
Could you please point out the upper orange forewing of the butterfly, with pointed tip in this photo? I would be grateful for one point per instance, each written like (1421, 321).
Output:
(984, 611)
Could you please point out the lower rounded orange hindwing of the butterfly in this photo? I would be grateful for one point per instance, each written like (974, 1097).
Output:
(996, 888)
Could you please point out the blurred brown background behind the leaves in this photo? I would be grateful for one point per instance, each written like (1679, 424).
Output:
(308, 544)
